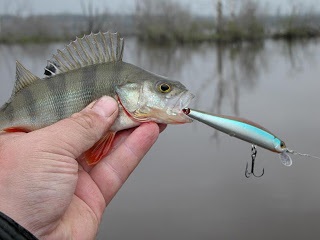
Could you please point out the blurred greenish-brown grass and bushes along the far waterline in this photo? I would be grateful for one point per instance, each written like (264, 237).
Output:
(195, 33)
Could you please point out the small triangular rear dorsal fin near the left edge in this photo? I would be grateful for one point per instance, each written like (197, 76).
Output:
(23, 78)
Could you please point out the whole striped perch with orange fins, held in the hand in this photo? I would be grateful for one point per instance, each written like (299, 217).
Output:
(85, 70)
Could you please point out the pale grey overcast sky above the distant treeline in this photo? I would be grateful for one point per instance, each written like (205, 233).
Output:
(126, 6)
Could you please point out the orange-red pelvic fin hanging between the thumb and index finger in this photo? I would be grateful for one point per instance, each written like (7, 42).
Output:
(100, 149)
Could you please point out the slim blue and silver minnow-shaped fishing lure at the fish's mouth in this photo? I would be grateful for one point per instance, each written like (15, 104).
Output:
(248, 131)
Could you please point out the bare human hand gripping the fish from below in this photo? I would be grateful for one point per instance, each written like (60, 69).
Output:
(46, 190)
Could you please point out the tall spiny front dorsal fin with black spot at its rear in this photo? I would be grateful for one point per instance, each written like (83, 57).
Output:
(88, 50)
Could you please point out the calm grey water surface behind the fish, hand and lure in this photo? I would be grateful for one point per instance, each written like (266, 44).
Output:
(191, 185)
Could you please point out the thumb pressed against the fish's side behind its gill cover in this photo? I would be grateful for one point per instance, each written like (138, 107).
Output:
(74, 135)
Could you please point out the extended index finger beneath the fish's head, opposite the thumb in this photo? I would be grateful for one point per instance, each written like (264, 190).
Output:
(113, 171)
